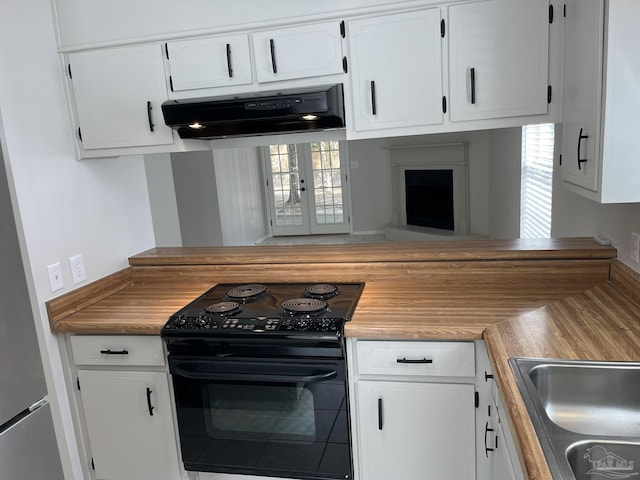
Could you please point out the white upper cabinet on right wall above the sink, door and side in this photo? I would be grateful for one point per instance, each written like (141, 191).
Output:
(600, 155)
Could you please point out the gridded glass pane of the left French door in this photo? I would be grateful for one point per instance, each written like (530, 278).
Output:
(285, 178)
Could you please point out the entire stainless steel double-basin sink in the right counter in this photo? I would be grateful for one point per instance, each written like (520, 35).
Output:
(586, 415)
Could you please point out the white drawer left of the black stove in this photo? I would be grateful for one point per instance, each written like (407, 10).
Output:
(117, 350)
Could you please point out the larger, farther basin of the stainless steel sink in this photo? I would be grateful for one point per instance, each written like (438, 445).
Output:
(592, 399)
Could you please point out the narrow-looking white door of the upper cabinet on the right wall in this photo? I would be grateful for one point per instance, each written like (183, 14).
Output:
(582, 98)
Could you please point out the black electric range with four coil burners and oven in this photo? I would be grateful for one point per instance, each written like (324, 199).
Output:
(260, 381)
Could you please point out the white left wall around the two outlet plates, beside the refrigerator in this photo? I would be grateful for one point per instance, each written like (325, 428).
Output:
(99, 208)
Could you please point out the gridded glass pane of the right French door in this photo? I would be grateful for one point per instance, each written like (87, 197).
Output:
(327, 182)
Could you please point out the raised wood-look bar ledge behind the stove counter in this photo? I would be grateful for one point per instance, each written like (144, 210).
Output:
(460, 250)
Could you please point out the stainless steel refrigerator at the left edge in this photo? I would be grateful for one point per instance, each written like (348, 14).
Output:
(28, 448)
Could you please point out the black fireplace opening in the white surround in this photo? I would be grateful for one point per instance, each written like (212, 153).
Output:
(429, 198)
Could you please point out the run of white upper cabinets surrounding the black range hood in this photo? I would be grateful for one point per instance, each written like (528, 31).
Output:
(439, 68)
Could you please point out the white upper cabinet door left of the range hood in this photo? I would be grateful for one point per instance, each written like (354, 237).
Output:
(118, 94)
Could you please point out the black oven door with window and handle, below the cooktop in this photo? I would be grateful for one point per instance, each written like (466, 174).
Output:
(275, 417)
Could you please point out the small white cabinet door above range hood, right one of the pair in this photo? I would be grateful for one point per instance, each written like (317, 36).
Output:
(298, 52)
